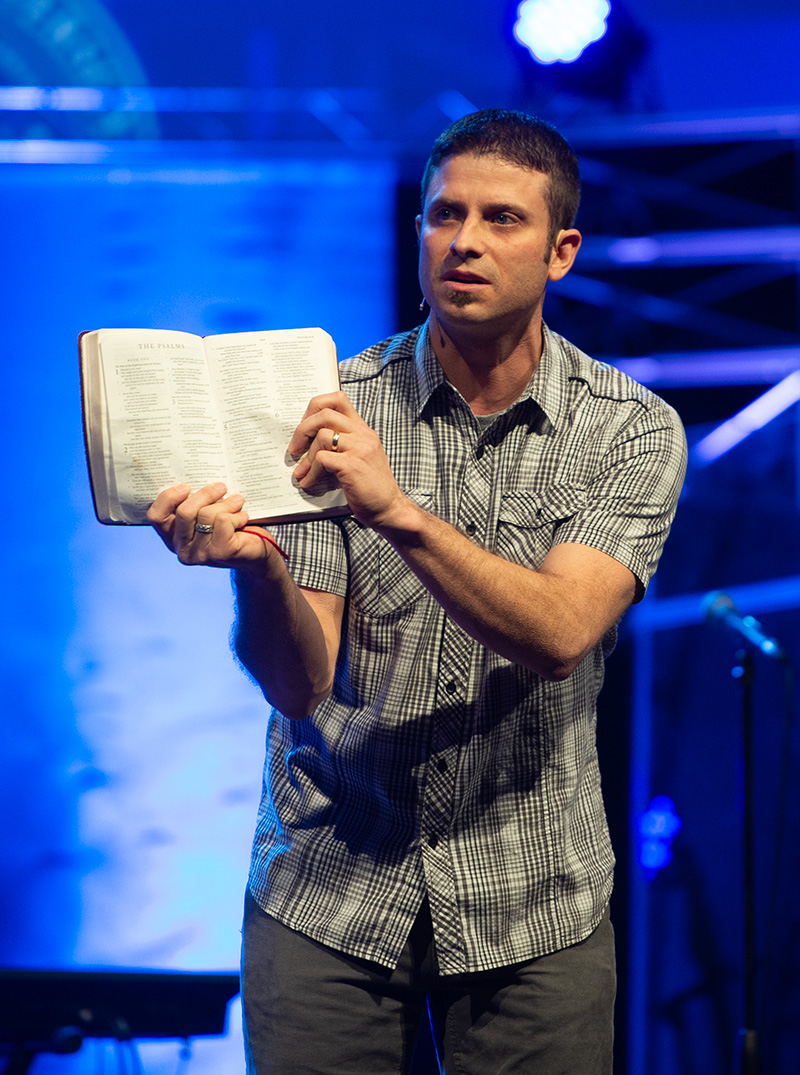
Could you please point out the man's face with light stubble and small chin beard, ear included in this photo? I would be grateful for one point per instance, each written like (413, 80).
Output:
(484, 252)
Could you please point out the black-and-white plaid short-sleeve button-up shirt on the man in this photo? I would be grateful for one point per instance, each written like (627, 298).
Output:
(437, 767)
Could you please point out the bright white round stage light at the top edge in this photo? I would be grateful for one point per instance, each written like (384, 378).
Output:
(560, 31)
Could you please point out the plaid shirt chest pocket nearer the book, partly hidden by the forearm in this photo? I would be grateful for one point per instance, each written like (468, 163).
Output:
(381, 583)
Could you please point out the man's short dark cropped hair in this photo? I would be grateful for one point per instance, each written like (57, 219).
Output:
(521, 139)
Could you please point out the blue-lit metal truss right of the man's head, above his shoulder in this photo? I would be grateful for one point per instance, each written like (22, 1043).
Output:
(732, 281)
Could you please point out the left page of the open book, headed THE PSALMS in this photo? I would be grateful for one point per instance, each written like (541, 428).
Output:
(163, 421)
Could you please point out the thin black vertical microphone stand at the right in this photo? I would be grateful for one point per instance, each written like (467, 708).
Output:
(746, 1059)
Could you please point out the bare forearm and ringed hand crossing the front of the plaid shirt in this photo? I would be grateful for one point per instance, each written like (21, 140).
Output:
(547, 620)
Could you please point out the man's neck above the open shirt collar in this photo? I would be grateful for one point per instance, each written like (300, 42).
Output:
(490, 371)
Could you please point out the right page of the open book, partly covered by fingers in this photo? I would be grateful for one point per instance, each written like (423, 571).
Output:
(264, 383)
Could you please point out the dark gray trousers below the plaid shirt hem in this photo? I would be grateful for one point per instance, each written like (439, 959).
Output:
(312, 1011)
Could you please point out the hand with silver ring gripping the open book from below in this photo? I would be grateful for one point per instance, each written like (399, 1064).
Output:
(206, 528)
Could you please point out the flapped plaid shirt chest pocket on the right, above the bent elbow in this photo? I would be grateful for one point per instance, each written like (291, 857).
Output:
(528, 522)
